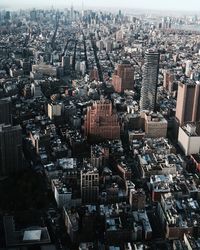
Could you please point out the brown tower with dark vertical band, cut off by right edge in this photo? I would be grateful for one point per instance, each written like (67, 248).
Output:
(188, 102)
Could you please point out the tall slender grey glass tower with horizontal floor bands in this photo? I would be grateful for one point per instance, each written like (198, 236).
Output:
(150, 80)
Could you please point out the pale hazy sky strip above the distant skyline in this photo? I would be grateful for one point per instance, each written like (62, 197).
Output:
(185, 5)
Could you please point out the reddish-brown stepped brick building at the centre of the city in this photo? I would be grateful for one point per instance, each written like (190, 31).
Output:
(101, 122)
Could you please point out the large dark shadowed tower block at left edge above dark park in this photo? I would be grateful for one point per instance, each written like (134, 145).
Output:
(10, 149)
